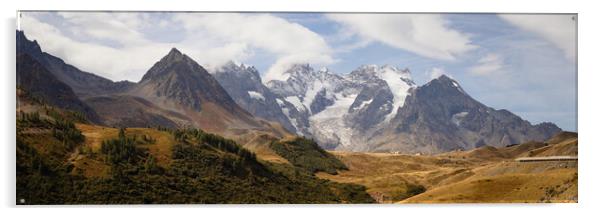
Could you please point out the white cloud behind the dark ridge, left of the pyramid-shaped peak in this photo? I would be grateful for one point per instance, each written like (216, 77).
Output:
(129, 61)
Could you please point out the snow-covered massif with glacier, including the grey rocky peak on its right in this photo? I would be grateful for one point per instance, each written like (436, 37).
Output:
(380, 108)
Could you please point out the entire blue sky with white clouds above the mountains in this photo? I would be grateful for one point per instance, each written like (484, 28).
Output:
(523, 63)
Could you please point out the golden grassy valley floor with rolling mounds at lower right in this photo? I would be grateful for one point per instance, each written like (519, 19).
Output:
(484, 175)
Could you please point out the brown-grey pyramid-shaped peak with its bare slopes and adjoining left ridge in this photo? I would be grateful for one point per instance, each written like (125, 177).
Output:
(176, 92)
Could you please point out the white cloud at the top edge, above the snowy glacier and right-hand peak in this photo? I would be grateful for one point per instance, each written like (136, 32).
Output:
(427, 35)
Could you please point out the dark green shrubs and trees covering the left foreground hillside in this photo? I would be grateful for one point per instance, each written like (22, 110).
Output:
(204, 168)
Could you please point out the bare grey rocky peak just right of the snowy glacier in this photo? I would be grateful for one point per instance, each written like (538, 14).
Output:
(440, 116)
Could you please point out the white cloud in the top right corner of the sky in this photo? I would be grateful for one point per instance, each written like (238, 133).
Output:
(558, 29)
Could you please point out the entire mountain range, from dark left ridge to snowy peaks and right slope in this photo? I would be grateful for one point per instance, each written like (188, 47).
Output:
(372, 108)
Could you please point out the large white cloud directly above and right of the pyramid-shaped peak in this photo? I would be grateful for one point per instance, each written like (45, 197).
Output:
(290, 42)
